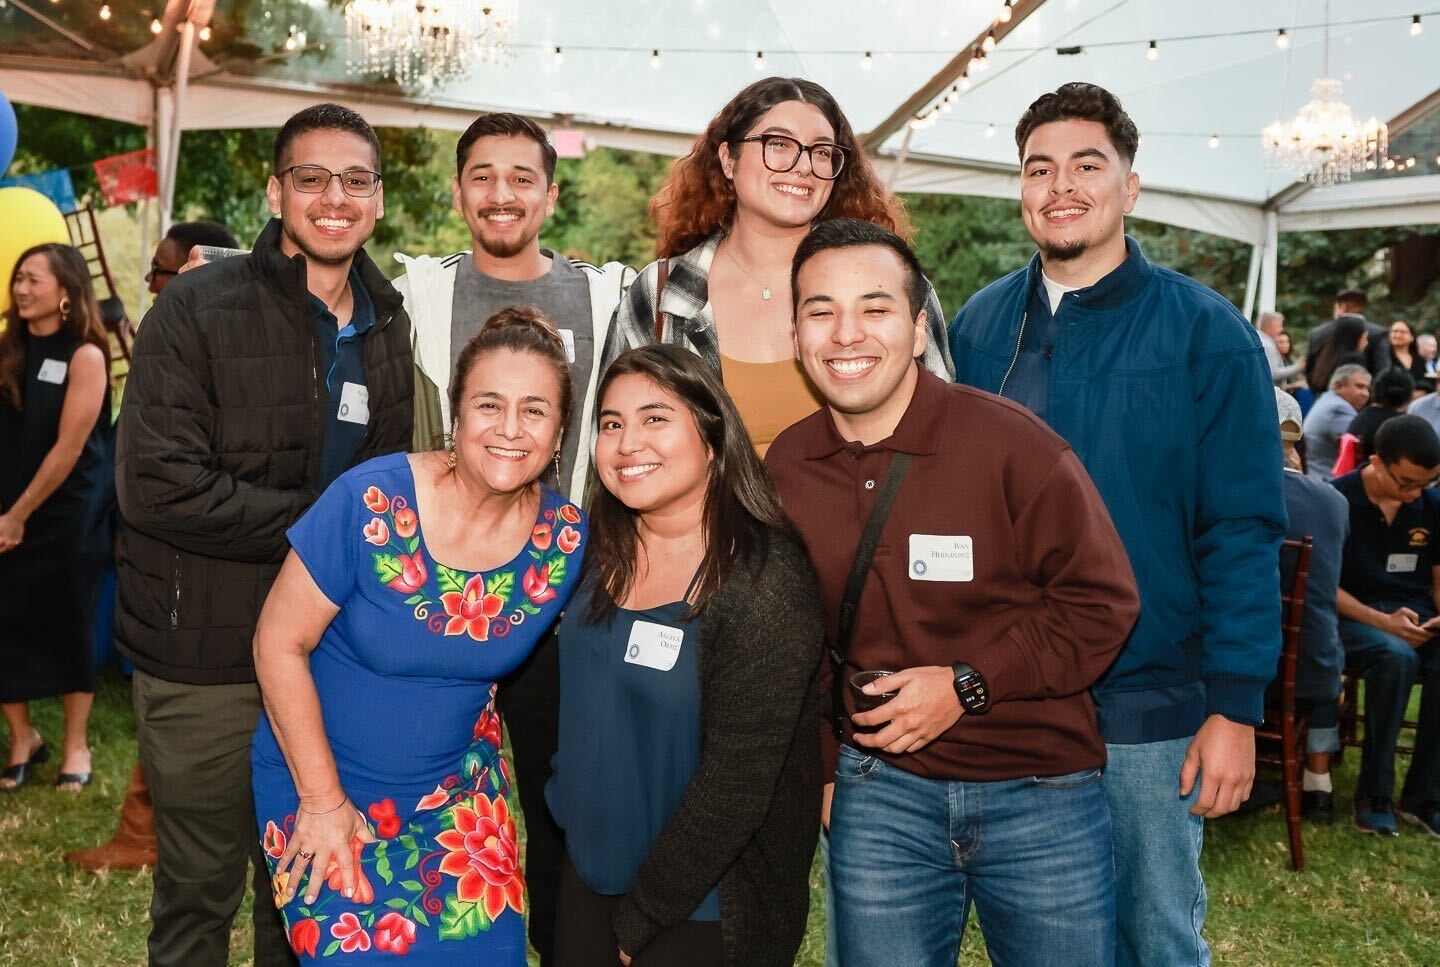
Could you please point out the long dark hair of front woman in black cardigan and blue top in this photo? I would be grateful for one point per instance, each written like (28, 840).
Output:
(742, 509)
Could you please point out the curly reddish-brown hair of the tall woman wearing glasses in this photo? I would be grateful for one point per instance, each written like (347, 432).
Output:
(698, 199)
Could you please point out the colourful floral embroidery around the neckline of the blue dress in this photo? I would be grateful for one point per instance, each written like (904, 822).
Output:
(463, 604)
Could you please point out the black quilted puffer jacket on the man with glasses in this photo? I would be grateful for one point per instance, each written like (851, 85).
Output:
(220, 451)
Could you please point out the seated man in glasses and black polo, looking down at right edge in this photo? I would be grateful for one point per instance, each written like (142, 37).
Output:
(1389, 605)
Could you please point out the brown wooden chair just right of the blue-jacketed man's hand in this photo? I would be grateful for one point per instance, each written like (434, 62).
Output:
(1285, 727)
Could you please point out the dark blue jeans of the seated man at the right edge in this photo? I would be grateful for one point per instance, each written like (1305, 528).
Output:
(1392, 667)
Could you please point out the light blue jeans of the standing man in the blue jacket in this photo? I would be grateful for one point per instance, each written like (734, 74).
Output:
(1160, 893)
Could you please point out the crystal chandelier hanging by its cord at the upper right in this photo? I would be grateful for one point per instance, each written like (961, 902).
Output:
(1326, 143)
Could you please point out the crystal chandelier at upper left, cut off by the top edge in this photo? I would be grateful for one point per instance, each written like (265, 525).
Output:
(427, 44)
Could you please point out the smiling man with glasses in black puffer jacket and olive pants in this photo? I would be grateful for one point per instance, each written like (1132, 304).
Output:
(257, 381)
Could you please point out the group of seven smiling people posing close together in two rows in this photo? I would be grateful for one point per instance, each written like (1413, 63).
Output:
(745, 552)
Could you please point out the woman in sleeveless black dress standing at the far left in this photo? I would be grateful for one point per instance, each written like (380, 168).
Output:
(54, 434)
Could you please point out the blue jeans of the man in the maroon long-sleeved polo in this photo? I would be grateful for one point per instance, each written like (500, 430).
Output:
(909, 855)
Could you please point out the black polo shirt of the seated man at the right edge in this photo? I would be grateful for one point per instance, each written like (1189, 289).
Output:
(1390, 563)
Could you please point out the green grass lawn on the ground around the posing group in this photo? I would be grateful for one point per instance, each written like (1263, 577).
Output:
(1362, 900)
